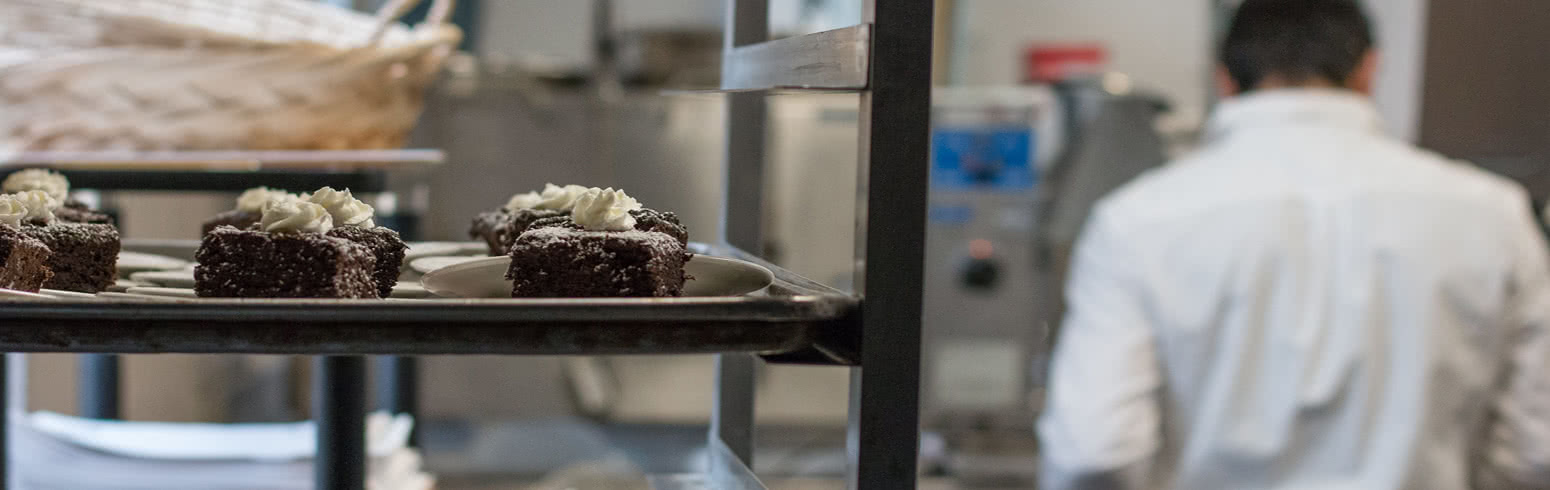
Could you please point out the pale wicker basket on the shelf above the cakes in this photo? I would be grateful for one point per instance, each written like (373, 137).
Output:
(167, 75)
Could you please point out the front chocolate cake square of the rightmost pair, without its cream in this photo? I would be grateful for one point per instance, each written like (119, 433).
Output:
(565, 263)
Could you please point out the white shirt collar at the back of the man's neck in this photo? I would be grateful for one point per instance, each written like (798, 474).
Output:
(1295, 108)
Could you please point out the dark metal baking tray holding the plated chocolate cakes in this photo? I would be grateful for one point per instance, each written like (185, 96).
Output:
(796, 320)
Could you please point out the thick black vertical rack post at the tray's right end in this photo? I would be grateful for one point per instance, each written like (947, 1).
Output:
(895, 125)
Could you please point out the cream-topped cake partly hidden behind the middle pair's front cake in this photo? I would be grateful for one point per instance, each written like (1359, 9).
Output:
(354, 221)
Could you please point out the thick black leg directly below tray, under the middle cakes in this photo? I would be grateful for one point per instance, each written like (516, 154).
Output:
(340, 410)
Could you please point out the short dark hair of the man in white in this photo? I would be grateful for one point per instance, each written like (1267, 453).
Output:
(1301, 41)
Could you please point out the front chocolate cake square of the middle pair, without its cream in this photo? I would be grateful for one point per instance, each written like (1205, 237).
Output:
(258, 264)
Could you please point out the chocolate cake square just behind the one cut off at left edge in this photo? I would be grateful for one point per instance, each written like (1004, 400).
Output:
(84, 257)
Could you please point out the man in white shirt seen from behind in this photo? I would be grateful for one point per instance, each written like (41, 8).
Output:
(1306, 303)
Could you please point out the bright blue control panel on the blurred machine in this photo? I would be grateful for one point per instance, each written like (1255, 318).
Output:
(988, 157)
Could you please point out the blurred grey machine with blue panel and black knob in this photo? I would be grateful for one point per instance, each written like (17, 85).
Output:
(1014, 174)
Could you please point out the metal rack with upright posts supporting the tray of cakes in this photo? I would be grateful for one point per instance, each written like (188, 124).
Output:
(877, 331)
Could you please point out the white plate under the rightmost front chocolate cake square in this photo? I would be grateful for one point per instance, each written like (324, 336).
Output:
(486, 278)
